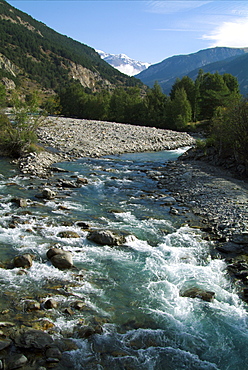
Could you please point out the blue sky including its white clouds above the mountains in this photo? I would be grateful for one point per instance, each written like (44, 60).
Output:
(148, 31)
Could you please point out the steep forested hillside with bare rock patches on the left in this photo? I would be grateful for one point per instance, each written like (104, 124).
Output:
(31, 50)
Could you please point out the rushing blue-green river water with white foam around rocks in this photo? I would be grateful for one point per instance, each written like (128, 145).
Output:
(131, 291)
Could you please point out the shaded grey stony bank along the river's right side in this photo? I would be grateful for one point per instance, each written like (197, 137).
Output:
(219, 204)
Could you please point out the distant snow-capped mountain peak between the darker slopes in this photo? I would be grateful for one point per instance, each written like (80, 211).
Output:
(123, 63)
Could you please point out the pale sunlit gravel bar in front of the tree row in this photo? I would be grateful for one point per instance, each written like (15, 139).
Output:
(66, 139)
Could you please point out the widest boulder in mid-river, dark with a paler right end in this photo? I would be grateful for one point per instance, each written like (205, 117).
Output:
(106, 237)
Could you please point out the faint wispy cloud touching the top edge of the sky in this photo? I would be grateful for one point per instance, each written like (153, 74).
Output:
(173, 6)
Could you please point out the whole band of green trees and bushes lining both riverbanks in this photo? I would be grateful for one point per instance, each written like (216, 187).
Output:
(212, 103)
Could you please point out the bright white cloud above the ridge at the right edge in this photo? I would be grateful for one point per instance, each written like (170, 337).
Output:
(231, 34)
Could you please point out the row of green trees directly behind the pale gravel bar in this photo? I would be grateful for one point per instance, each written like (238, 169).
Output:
(188, 101)
